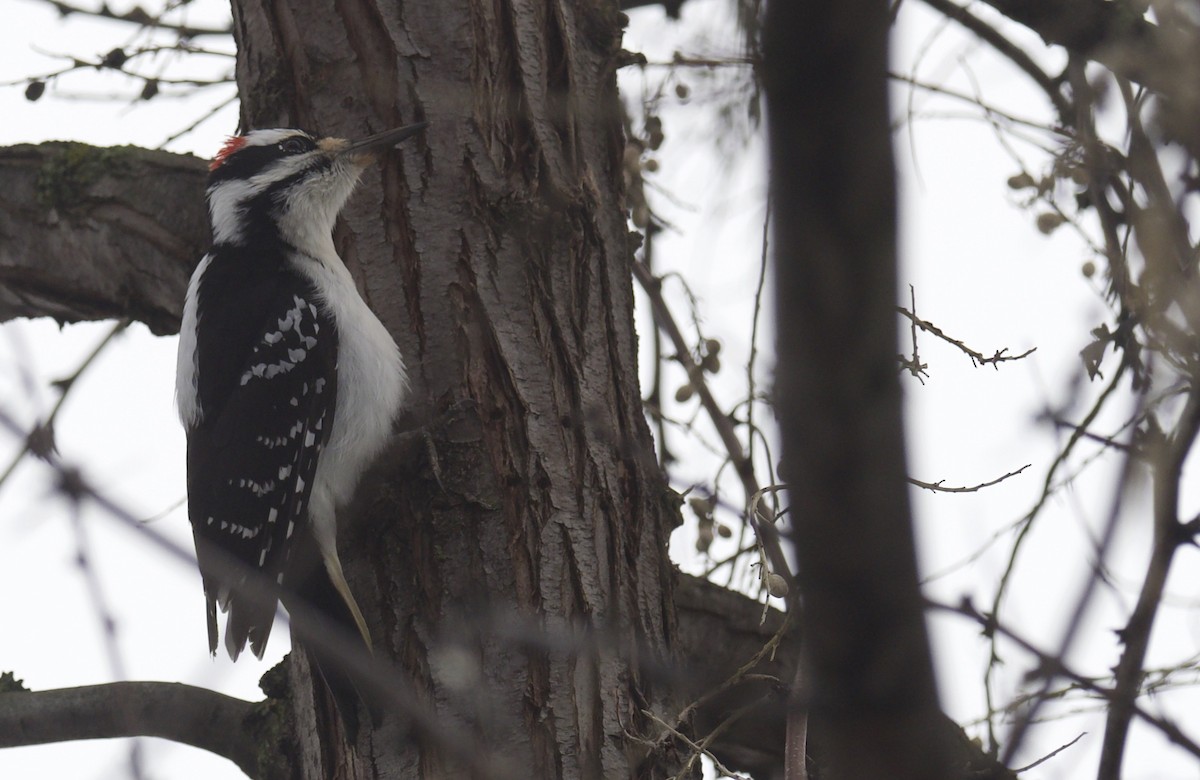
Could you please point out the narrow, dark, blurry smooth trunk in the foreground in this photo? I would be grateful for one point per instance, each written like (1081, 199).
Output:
(868, 677)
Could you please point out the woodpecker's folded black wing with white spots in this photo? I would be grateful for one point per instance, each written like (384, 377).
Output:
(267, 358)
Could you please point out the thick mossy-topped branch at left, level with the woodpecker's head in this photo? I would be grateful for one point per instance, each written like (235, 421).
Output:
(97, 233)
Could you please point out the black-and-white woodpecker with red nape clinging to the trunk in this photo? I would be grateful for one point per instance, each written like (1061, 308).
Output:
(287, 383)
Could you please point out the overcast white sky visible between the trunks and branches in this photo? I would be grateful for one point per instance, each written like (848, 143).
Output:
(980, 268)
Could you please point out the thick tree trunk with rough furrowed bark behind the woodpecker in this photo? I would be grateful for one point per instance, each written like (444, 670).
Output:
(517, 577)
